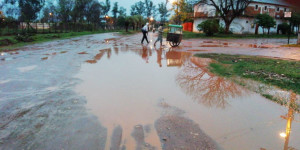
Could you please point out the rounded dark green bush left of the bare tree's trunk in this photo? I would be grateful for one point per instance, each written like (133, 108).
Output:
(209, 27)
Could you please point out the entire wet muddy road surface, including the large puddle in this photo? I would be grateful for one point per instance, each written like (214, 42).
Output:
(110, 92)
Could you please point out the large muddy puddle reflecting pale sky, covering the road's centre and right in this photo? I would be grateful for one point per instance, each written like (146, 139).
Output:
(132, 89)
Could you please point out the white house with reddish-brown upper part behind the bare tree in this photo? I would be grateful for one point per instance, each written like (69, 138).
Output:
(246, 22)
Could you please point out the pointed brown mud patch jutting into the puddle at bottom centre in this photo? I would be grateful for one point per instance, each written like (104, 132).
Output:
(178, 132)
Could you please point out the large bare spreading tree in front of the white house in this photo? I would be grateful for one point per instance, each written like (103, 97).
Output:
(228, 10)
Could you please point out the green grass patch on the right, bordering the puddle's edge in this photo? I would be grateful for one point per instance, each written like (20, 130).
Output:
(282, 73)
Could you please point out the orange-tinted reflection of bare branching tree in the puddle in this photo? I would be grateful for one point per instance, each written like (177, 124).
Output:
(205, 87)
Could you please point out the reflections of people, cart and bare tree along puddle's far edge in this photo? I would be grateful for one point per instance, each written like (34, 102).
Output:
(194, 77)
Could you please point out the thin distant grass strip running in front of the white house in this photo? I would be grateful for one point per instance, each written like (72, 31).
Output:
(192, 35)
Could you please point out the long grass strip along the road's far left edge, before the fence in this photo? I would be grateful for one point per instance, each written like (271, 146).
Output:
(38, 38)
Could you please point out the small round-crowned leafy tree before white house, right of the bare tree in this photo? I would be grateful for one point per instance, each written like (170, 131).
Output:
(265, 21)
